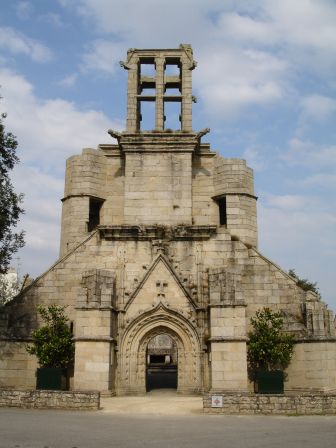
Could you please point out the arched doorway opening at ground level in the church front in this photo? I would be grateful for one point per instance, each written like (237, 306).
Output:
(161, 362)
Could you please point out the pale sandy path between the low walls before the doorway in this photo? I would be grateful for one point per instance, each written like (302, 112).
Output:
(156, 402)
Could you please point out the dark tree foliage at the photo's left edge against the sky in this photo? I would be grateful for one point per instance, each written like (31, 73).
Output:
(10, 209)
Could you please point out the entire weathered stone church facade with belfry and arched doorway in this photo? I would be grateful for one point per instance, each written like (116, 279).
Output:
(159, 262)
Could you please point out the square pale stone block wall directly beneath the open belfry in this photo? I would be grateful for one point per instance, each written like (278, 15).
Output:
(157, 189)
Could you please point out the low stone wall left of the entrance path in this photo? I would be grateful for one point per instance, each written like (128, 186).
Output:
(50, 399)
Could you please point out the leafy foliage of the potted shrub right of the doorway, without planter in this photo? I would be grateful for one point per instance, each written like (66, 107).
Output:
(268, 347)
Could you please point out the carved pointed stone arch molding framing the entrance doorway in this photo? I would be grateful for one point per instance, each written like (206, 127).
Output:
(132, 352)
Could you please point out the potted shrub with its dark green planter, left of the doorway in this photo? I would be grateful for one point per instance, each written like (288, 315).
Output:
(54, 348)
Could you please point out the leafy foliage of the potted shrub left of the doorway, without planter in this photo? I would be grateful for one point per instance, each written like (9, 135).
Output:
(52, 343)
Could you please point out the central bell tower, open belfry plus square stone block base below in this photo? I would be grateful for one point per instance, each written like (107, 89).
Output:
(157, 158)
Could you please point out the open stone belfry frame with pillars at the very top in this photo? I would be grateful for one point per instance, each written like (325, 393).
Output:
(159, 86)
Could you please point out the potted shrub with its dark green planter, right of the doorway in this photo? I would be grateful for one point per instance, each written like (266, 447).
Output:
(269, 352)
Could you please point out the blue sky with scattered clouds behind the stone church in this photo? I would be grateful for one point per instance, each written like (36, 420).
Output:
(265, 84)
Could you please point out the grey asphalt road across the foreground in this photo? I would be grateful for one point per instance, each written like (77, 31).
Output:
(69, 429)
